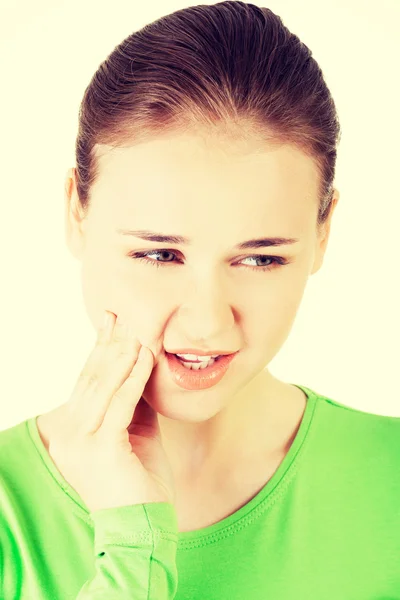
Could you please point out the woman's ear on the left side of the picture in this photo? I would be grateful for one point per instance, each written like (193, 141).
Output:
(74, 216)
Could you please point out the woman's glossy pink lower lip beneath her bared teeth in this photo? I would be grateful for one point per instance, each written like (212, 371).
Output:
(201, 379)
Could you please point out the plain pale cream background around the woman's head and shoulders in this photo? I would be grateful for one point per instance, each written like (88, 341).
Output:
(345, 341)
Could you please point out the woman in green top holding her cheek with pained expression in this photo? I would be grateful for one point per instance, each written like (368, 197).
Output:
(206, 148)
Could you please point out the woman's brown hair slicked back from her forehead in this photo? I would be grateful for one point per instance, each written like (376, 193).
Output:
(226, 66)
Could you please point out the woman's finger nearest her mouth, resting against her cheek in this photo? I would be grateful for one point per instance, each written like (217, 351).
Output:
(125, 400)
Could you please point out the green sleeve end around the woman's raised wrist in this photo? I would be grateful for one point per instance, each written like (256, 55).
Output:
(135, 553)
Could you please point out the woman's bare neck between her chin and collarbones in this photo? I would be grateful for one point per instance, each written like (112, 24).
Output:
(258, 424)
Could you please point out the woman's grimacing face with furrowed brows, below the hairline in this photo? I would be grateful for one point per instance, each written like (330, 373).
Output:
(206, 294)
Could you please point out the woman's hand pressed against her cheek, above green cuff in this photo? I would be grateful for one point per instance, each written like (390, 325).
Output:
(109, 448)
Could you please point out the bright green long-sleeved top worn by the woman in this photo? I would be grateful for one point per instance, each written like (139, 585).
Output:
(326, 526)
